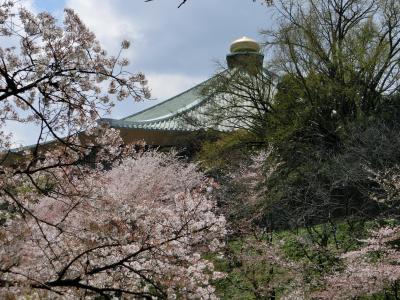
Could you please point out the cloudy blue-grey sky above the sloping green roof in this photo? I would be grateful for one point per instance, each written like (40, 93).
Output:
(174, 48)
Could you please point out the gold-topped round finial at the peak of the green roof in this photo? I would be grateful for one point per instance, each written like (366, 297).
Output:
(246, 54)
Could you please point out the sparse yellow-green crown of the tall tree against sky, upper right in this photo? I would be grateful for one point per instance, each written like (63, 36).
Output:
(342, 56)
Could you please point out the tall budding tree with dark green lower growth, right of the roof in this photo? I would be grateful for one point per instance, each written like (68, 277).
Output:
(339, 62)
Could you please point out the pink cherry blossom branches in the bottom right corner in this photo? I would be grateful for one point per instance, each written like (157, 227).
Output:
(367, 271)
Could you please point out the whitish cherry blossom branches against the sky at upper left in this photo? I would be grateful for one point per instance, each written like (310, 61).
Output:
(56, 77)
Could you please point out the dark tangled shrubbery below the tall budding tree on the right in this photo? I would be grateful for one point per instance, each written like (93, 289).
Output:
(315, 183)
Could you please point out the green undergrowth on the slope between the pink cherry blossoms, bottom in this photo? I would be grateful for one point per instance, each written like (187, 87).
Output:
(268, 266)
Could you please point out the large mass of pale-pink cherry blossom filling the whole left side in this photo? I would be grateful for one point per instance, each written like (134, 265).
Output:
(125, 225)
